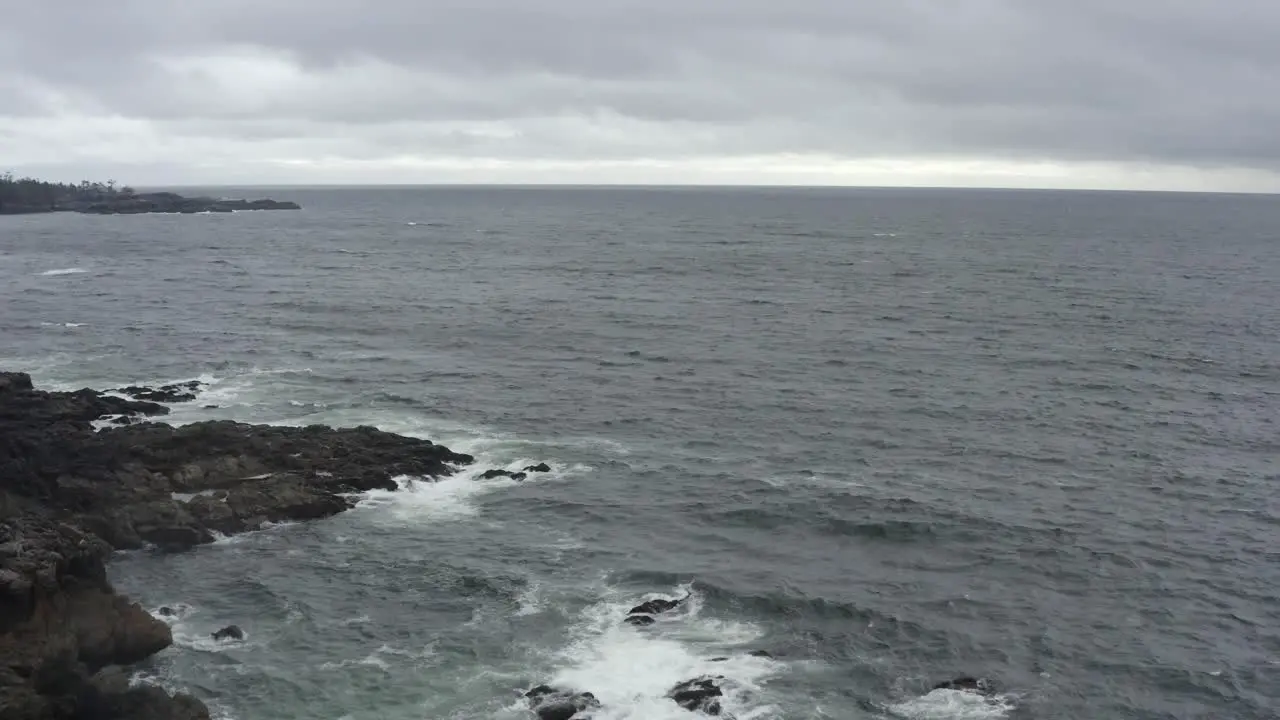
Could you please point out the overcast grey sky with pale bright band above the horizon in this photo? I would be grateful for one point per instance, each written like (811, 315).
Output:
(1144, 94)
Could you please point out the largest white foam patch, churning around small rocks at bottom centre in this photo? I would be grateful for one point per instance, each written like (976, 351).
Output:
(633, 669)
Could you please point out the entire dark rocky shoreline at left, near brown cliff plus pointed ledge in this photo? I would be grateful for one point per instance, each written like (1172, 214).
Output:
(71, 495)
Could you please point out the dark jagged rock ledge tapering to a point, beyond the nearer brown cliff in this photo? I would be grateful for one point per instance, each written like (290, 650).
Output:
(177, 487)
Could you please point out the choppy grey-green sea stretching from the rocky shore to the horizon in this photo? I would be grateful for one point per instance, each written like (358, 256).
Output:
(890, 436)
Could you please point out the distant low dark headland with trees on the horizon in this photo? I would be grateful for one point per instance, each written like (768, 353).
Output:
(29, 195)
